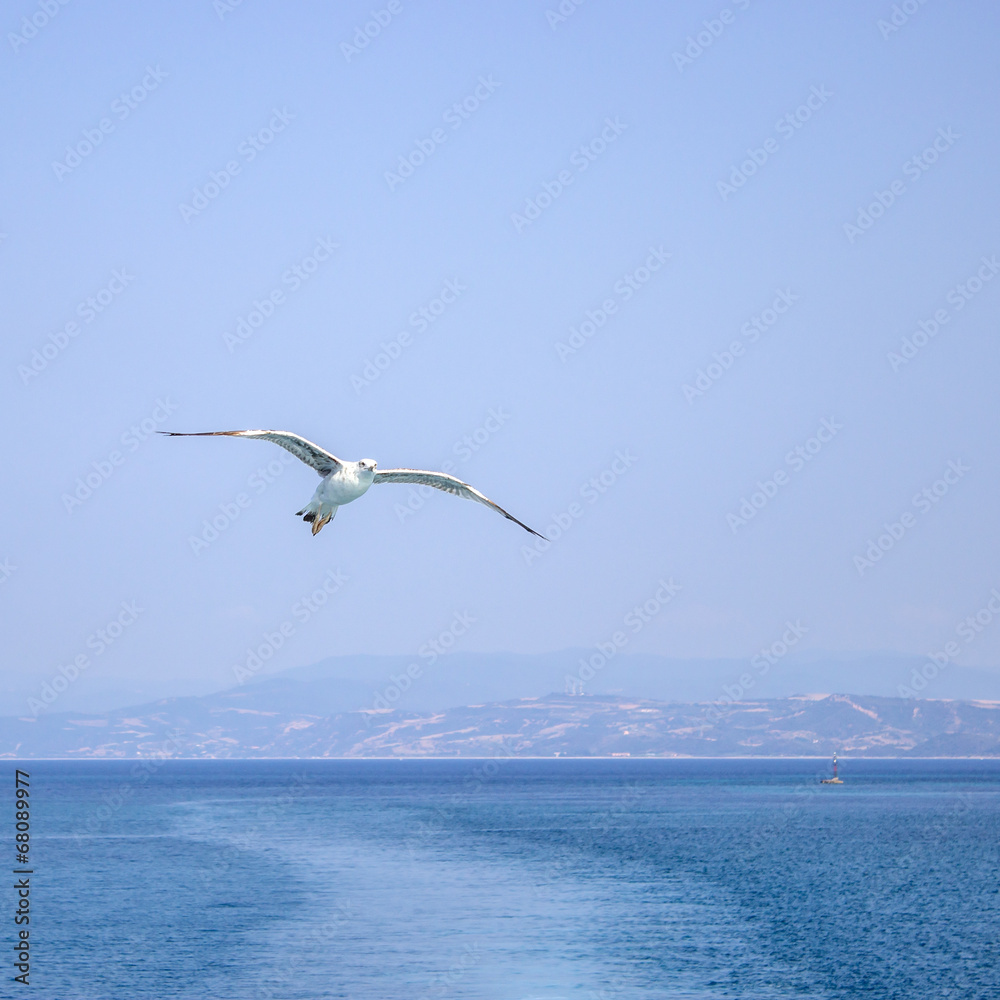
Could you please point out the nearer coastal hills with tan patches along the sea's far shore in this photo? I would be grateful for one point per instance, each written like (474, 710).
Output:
(245, 722)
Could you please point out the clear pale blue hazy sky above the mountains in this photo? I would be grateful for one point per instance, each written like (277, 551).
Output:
(526, 243)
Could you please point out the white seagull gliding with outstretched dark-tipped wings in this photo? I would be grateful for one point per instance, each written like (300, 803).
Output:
(343, 481)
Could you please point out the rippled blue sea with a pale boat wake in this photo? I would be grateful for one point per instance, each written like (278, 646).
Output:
(513, 879)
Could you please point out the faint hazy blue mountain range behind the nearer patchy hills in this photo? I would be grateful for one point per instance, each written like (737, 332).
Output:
(354, 682)
